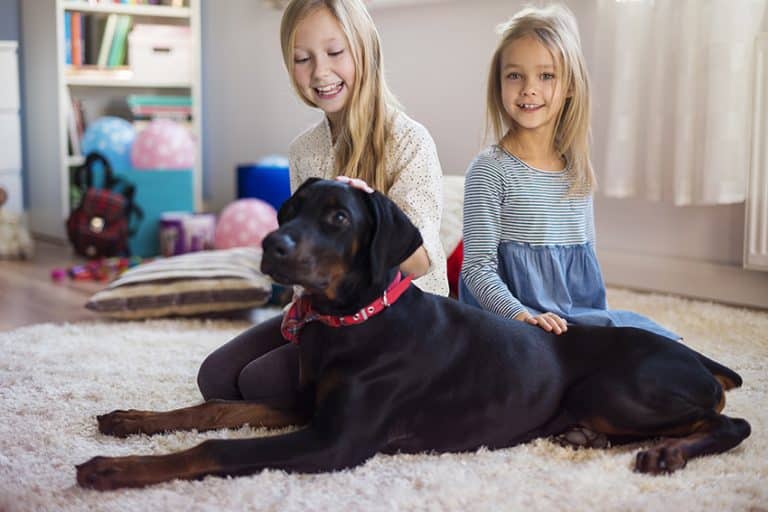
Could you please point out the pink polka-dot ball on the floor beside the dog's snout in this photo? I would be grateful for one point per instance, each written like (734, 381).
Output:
(244, 223)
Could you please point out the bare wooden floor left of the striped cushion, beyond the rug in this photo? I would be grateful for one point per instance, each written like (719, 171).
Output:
(28, 295)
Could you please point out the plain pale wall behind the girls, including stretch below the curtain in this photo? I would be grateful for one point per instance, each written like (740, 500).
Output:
(436, 57)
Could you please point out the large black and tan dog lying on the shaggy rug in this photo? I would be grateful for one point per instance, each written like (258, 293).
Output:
(385, 367)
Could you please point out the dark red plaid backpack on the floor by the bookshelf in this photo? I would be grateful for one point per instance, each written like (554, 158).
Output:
(100, 225)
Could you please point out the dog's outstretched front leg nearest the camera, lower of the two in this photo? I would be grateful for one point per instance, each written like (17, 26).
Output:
(301, 451)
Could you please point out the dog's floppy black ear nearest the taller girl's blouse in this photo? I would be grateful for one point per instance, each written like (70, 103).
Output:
(394, 235)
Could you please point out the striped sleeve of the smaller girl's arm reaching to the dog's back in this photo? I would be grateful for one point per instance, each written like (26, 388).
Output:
(483, 202)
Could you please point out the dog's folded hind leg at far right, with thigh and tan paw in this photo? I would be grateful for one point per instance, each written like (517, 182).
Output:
(672, 396)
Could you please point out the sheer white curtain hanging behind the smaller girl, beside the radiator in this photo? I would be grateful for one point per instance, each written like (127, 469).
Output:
(672, 92)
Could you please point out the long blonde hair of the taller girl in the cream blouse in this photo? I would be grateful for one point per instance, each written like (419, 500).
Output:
(366, 124)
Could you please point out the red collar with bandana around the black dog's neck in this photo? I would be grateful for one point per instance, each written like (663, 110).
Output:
(300, 313)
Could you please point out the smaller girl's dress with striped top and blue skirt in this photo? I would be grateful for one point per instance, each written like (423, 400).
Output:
(528, 245)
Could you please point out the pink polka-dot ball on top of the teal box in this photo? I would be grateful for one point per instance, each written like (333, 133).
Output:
(163, 144)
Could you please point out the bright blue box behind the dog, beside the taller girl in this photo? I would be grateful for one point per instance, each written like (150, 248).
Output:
(268, 180)
